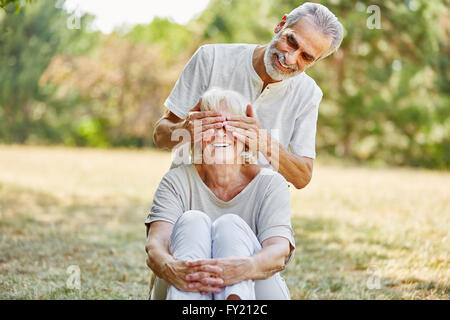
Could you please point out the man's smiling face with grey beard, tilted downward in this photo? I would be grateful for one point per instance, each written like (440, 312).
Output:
(294, 48)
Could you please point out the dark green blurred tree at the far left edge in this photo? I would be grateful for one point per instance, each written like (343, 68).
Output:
(28, 41)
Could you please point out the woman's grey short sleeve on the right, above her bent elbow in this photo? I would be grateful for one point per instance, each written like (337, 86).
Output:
(274, 219)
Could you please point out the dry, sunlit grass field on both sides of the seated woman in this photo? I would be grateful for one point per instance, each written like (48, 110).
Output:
(361, 233)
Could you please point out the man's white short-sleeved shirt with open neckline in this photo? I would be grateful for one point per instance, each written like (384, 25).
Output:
(289, 106)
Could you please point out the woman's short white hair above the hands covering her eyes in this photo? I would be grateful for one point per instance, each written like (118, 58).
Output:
(212, 99)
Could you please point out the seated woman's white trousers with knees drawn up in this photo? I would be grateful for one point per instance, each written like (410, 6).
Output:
(195, 236)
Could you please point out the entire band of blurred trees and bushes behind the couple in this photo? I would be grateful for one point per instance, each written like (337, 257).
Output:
(386, 91)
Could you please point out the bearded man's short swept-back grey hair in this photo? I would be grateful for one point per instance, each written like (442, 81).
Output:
(323, 18)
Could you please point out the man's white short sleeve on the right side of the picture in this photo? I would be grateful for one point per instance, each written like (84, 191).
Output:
(303, 141)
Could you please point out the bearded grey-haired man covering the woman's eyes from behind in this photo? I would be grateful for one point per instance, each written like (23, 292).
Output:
(284, 99)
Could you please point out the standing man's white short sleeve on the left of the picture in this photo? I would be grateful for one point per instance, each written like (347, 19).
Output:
(192, 83)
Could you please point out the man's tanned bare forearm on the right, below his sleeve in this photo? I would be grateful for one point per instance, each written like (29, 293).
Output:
(297, 170)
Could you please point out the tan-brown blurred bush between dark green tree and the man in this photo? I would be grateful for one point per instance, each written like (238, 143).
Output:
(121, 89)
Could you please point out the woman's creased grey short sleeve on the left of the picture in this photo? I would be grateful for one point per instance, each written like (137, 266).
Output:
(167, 204)
